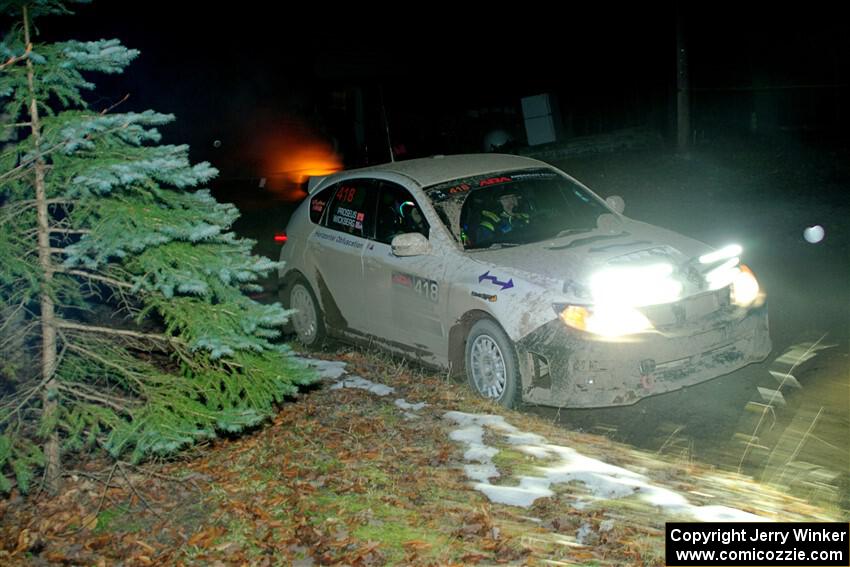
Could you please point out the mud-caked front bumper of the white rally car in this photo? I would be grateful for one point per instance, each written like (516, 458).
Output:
(562, 367)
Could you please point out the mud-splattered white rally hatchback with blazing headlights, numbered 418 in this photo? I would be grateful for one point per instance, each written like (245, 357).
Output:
(511, 271)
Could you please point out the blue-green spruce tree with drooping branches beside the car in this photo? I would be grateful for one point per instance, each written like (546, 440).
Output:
(122, 281)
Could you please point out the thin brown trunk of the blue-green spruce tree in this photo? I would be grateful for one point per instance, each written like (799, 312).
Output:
(53, 468)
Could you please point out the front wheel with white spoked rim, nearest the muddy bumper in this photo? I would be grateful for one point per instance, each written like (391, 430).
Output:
(491, 364)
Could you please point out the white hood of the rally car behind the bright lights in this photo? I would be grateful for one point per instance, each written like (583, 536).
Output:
(569, 261)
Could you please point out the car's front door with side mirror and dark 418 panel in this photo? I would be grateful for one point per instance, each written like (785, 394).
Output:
(405, 295)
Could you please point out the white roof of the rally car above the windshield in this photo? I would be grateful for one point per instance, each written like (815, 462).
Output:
(438, 169)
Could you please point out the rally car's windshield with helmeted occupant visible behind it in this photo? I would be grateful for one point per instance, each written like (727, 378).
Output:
(514, 207)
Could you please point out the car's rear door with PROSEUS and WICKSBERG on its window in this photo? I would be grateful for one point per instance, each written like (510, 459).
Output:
(336, 247)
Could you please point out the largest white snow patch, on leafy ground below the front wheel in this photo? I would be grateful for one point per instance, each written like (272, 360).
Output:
(601, 479)
